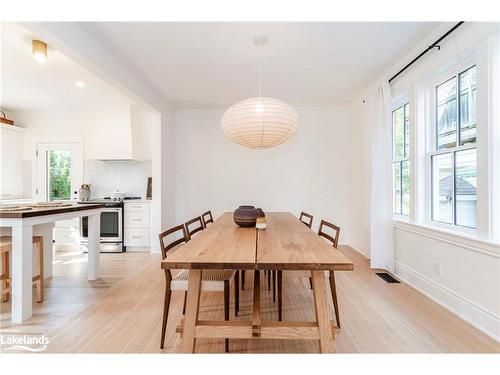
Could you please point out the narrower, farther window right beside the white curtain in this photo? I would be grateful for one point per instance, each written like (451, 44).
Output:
(400, 159)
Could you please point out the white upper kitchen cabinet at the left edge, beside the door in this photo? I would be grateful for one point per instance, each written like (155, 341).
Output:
(11, 161)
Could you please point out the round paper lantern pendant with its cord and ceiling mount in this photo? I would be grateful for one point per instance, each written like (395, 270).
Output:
(260, 122)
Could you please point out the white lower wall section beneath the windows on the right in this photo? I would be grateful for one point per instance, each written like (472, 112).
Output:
(461, 275)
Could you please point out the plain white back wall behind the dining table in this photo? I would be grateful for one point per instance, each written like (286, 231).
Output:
(307, 173)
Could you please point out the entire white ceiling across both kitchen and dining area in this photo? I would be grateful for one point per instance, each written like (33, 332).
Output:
(211, 64)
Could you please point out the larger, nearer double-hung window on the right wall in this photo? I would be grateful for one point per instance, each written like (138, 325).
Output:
(454, 167)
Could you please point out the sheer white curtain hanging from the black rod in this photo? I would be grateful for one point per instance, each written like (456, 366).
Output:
(378, 122)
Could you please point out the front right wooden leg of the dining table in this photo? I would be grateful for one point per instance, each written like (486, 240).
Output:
(321, 306)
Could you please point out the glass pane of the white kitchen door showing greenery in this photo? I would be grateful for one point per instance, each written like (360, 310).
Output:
(59, 175)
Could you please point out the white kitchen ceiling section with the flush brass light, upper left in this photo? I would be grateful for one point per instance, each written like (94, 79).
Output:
(29, 85)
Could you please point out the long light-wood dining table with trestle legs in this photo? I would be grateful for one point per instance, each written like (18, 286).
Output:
(286, 244)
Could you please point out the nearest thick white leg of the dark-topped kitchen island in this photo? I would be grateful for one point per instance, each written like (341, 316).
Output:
(22, 273)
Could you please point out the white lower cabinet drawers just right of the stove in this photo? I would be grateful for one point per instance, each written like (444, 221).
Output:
(136, 226)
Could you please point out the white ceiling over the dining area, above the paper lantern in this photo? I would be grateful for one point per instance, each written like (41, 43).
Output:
(216, 64)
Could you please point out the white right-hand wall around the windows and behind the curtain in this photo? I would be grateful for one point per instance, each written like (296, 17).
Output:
(459, 273)
